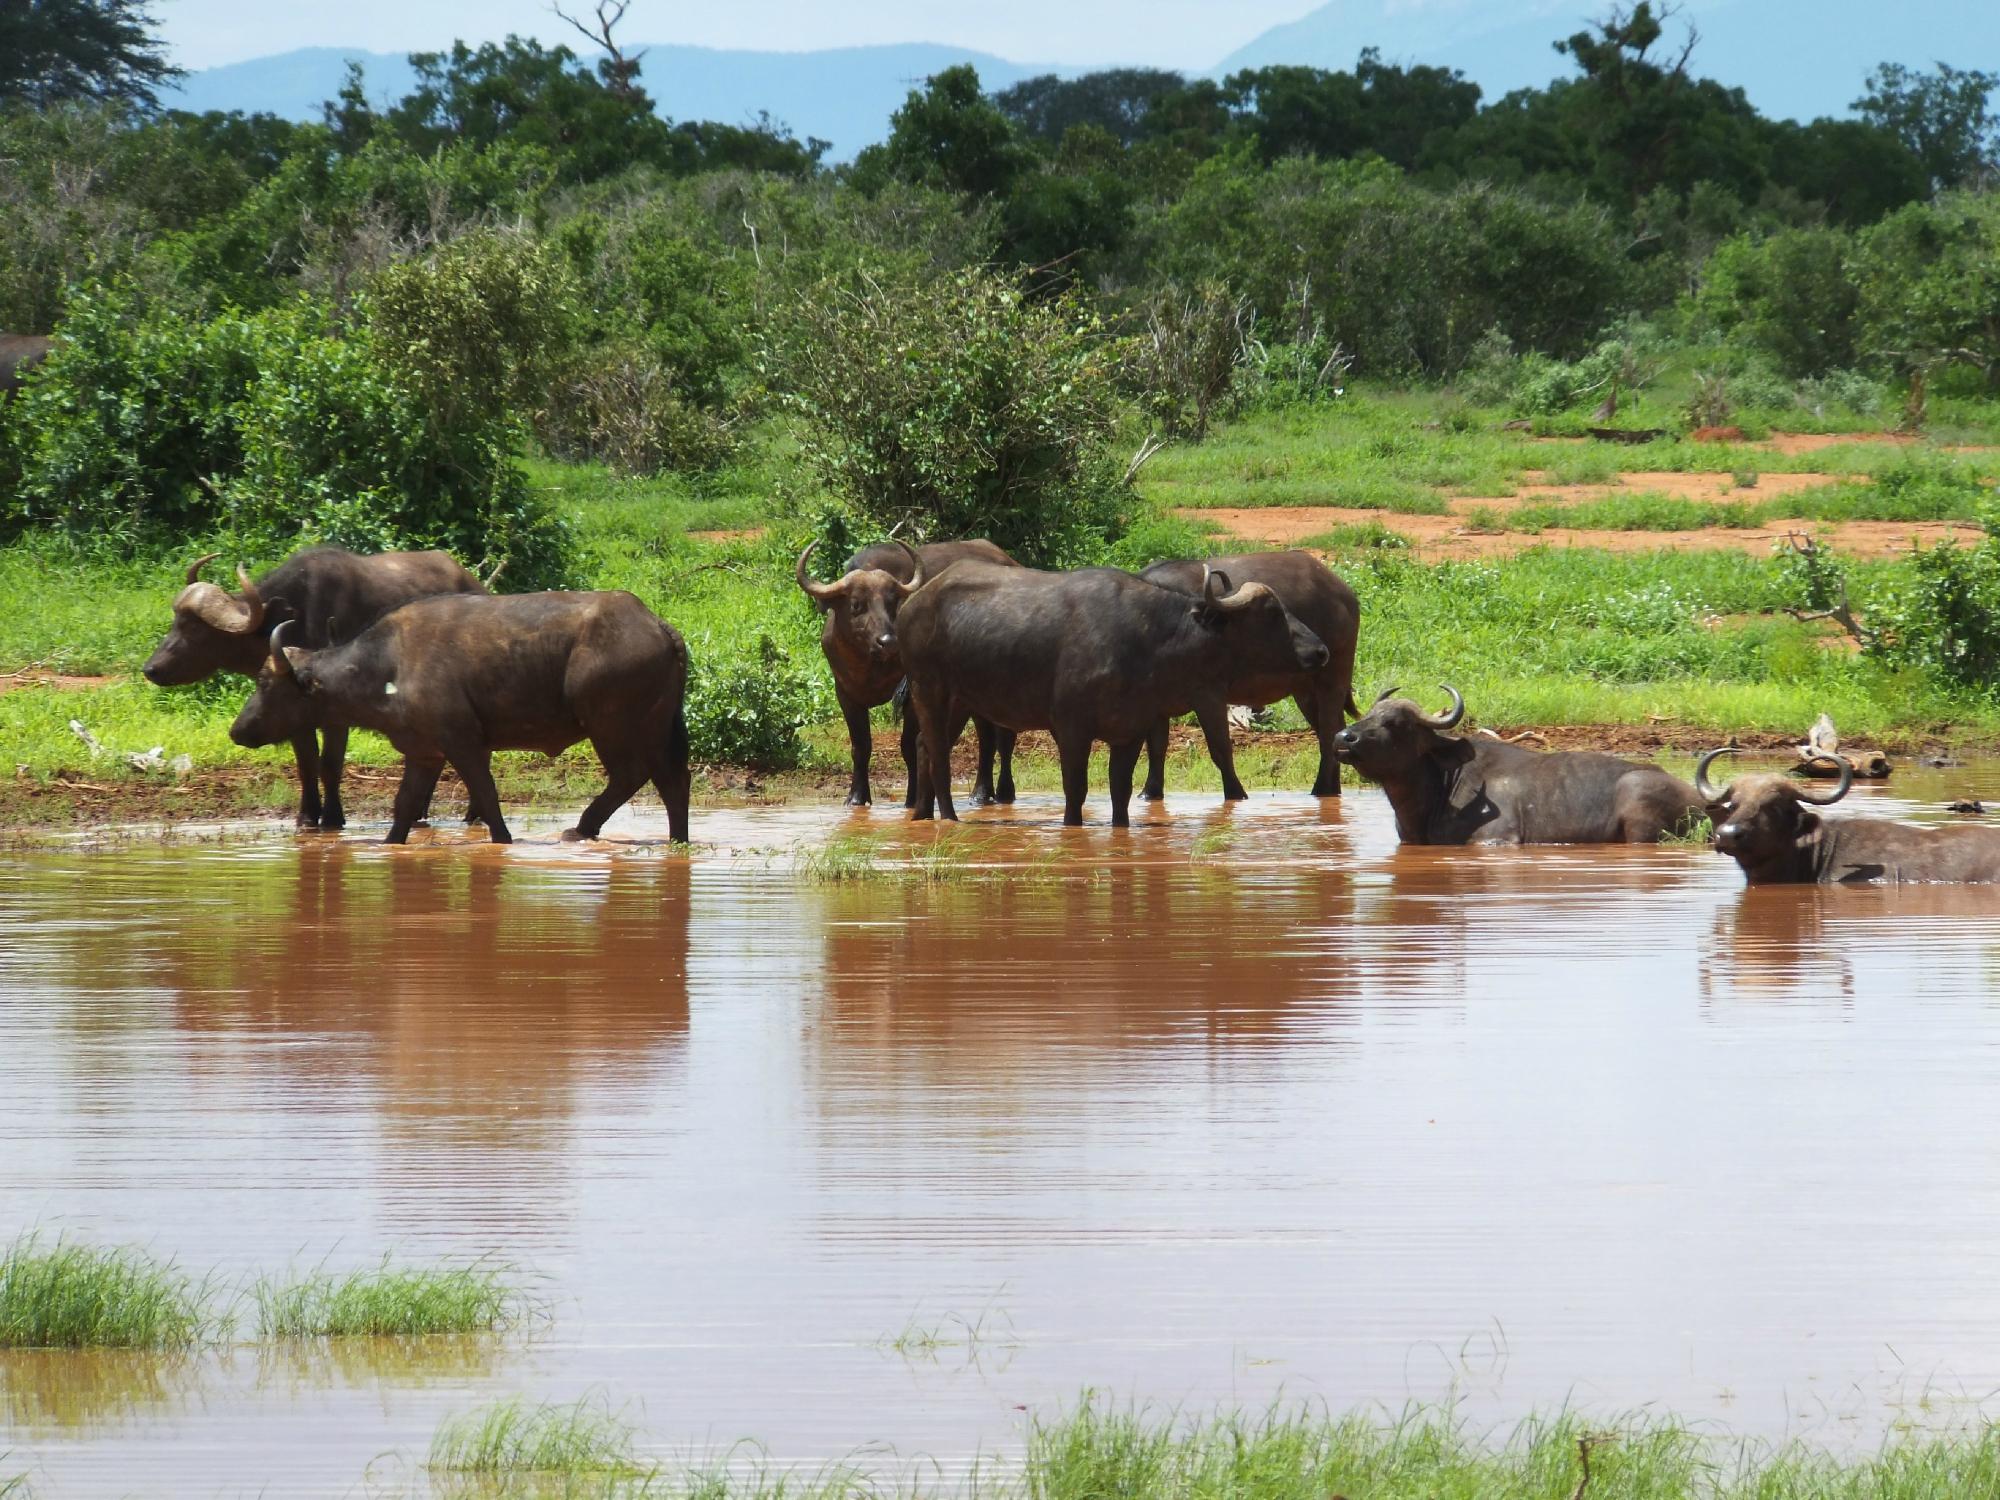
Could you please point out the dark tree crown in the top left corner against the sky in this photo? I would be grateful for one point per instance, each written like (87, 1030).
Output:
(55, 51)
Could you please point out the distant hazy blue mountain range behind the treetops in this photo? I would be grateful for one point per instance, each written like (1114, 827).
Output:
(1793, 57)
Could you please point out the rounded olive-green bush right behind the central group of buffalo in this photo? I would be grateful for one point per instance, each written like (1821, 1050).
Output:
(959, 409)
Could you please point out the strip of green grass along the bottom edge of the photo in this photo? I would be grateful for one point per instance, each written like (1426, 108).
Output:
(1099, 1451)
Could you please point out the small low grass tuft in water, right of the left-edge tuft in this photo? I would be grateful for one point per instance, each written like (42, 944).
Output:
(391, 1303)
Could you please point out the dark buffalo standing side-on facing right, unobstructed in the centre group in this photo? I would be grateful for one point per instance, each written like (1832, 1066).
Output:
(1091, 655)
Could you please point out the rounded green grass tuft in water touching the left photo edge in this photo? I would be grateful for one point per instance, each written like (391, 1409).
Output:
(83, 1297)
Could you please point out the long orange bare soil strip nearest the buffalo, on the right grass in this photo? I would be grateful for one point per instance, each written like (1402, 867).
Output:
(1447, 539)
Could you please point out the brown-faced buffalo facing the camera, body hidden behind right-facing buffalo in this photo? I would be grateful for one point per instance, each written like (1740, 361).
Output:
(861, 647)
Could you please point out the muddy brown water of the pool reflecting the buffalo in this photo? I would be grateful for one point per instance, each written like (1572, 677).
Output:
(1235, 1105)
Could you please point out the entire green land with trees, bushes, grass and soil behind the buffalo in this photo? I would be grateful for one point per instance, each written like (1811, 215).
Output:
(529, 317)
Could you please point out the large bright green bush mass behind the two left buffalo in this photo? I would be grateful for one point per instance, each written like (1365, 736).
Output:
(279, 429)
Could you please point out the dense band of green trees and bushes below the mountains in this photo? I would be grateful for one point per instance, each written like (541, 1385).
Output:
(353, 327)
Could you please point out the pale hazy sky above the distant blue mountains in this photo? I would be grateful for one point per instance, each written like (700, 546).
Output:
(1169, 33)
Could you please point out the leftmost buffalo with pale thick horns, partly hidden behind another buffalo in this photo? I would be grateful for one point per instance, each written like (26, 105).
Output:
(333, 597)
